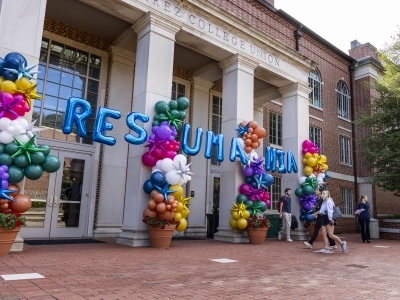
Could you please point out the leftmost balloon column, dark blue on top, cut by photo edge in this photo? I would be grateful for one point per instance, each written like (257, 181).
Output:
(19, 153)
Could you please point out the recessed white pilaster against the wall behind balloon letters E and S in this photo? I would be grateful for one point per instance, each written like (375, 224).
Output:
(114, 164)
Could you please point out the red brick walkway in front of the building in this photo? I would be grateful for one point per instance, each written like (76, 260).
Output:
(274, 270)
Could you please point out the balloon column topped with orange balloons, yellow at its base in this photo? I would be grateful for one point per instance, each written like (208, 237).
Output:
(254, 197)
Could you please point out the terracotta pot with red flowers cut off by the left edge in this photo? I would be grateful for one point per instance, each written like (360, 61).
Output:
(10, 224)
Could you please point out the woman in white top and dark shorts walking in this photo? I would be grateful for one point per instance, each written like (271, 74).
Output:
(326, 212)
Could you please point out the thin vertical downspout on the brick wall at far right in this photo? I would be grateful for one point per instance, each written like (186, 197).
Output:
(353, 137)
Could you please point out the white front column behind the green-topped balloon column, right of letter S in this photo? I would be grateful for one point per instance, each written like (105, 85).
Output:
(153, 82)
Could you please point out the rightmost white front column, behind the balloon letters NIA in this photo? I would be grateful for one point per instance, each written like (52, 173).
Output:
(295, 129)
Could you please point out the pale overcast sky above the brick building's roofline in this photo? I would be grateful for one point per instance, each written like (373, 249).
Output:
(342, 21)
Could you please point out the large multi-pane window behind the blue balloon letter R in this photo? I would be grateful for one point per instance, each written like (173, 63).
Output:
(65, 72)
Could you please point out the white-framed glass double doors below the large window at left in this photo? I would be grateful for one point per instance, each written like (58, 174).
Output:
(60, 200)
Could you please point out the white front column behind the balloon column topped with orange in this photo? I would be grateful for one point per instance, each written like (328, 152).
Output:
(237, 106)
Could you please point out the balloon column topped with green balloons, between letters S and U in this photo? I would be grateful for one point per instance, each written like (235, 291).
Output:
(169, 169)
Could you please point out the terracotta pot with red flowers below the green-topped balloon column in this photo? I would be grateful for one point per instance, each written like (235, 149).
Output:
(160, 231)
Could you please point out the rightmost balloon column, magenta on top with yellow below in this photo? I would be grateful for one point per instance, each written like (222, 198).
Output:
(314, 169)
